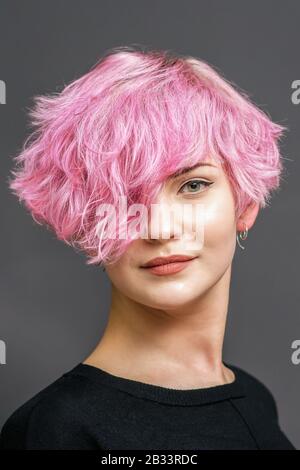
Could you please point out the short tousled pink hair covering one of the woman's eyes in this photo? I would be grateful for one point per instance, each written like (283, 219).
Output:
(128, 124)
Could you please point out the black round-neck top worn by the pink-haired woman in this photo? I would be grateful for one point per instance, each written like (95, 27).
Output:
(89, 408)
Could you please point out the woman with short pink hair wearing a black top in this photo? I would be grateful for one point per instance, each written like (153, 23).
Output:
(165, 131)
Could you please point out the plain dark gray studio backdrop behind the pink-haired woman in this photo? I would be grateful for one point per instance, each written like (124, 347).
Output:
(53, 306)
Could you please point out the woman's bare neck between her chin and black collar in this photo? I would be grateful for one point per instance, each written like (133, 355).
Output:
(182, 346)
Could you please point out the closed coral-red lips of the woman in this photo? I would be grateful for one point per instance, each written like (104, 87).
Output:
(168, 265)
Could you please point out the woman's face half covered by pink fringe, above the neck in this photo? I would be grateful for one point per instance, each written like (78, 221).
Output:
(212, 249)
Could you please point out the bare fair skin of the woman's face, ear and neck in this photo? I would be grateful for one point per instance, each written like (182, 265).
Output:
(169, 330)
